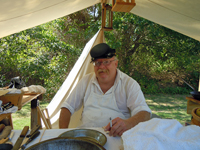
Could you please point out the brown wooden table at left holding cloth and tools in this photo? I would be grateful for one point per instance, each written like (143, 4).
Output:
(20, 99)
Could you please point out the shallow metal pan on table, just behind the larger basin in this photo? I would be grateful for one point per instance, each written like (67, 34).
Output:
(86, 134)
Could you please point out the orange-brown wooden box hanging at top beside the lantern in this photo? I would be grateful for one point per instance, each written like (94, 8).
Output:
(123, 5)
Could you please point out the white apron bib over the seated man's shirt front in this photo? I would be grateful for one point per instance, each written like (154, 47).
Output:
(103, 107)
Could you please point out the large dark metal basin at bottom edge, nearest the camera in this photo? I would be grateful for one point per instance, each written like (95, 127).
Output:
(66, 144)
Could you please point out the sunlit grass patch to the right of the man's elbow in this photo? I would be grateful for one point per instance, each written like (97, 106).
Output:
(169, 106)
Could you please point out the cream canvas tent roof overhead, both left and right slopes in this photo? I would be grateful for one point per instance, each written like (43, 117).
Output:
(180, 15)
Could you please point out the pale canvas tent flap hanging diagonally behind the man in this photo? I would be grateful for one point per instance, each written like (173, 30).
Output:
(81, 68)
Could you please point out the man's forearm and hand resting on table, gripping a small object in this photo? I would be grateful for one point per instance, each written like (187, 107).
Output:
(121, 125)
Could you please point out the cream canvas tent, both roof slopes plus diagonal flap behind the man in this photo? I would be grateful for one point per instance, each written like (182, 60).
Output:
(181, 15)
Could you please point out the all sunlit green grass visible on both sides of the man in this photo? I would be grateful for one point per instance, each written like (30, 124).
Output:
(165, 106)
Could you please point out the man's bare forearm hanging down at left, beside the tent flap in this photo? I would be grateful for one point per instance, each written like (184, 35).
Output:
(64, 119)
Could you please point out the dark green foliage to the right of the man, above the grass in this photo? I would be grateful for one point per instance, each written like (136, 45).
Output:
(154, 55)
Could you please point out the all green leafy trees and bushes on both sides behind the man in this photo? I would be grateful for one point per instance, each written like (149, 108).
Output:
(153, 55)
